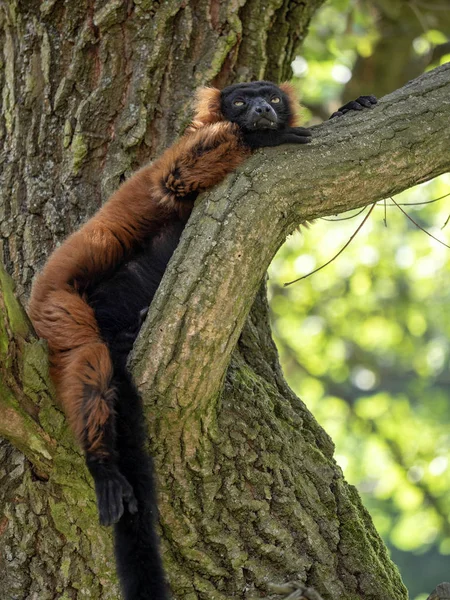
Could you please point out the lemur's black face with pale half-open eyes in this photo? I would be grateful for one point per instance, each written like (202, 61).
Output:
(255, 106)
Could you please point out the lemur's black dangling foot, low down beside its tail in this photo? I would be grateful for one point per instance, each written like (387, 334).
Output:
(113, 491)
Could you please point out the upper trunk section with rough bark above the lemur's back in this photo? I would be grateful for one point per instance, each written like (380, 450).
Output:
(94, 89)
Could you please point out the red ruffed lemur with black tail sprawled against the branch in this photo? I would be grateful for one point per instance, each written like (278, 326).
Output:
(92, 295)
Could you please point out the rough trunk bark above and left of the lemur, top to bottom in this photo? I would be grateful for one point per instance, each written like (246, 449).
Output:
(91, 90)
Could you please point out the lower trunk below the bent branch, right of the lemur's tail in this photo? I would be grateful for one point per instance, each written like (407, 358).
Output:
(250, 493)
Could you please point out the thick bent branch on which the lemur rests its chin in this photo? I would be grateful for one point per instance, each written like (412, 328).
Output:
(236, 229)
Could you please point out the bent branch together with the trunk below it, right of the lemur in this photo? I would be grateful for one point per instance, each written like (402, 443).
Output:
(202, 428)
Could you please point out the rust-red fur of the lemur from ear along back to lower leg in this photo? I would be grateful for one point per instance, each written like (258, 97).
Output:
(80, 360)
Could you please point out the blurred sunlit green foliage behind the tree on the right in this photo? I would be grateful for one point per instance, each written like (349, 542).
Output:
(365, 342)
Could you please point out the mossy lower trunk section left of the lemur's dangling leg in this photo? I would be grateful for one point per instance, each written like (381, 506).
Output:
(50, 543)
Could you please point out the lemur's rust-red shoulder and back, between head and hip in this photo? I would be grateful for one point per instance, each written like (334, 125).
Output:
(199, 160)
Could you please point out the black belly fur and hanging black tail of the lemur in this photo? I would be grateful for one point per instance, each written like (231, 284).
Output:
(120, 304)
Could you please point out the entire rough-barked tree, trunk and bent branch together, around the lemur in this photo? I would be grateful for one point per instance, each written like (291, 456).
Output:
(249, 490)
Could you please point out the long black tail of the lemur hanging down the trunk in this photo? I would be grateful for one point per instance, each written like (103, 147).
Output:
(139, 564)
